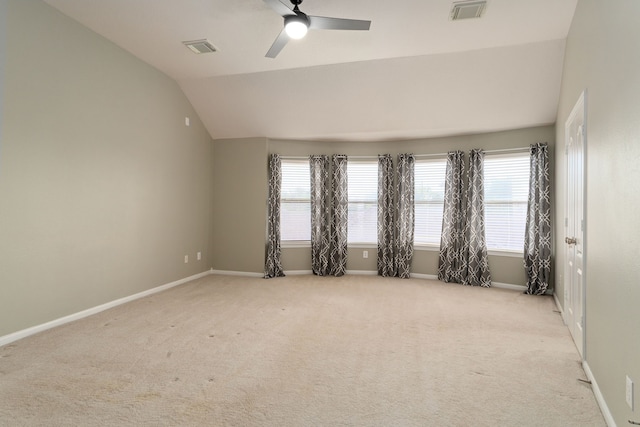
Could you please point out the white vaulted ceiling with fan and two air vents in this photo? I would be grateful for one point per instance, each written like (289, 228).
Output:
(414, 74)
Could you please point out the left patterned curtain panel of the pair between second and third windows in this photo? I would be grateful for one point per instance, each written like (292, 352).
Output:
(386, 260)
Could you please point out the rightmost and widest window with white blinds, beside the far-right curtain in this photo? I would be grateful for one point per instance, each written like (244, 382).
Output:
(506, 190)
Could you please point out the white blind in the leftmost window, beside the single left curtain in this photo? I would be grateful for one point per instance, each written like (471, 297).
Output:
(295, 201)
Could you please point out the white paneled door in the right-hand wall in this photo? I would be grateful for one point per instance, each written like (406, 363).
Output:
(575, 138)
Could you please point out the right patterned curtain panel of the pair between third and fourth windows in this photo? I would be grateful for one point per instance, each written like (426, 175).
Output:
(477, 261)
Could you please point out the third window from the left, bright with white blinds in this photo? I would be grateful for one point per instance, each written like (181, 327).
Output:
(429, 200)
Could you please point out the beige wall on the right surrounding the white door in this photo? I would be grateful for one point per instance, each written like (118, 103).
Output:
(602, 57)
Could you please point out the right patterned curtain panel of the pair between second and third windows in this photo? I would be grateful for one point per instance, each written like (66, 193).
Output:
(405, 216)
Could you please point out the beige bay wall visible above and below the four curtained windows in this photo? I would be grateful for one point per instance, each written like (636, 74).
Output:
(504, 269)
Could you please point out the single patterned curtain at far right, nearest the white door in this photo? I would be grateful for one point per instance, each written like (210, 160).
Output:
(537, 238)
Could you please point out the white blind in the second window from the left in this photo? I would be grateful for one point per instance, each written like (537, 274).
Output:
(362, 179)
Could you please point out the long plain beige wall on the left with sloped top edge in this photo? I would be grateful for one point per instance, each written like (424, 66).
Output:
(103, 189)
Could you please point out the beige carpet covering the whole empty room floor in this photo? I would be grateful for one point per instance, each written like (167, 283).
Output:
(304, 351)
